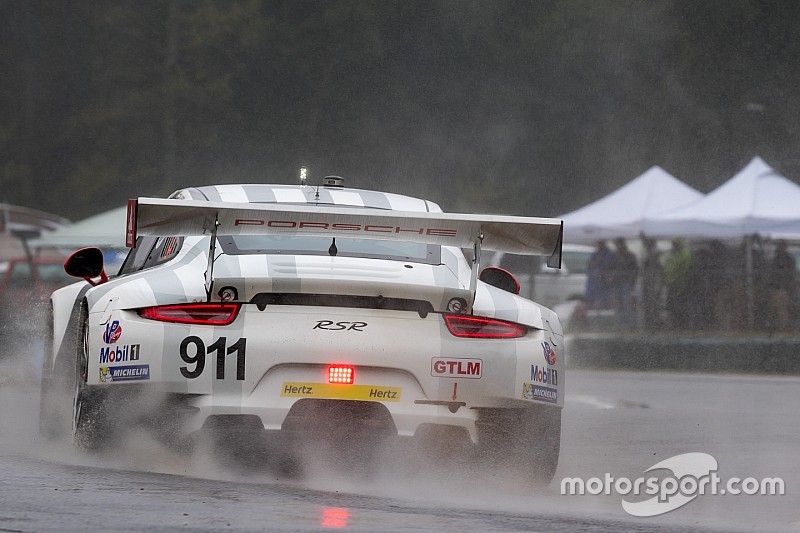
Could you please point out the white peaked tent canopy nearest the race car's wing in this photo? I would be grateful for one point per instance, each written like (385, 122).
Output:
(621, 213)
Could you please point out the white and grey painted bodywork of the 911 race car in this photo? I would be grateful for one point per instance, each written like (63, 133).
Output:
(270, 357)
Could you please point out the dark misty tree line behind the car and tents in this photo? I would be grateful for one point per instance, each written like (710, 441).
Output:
(513, 106)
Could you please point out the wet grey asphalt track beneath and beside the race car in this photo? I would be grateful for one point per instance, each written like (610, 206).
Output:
(620, 423)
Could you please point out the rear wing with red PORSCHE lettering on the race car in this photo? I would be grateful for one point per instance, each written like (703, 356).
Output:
(510, 234)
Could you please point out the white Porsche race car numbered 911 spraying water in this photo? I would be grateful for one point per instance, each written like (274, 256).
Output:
(291, 309)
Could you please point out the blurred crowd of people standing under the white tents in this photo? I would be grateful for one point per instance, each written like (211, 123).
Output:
(705, 286)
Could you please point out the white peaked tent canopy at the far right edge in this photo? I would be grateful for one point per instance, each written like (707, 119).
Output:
(757, 200)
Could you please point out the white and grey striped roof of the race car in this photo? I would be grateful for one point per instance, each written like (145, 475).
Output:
(305, 195)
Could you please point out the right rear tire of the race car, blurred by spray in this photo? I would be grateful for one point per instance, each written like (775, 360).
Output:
(524, 442)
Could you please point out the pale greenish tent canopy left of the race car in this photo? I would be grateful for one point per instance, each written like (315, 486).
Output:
(106, 230)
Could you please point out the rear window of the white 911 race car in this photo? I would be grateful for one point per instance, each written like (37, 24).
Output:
(304, 245)
